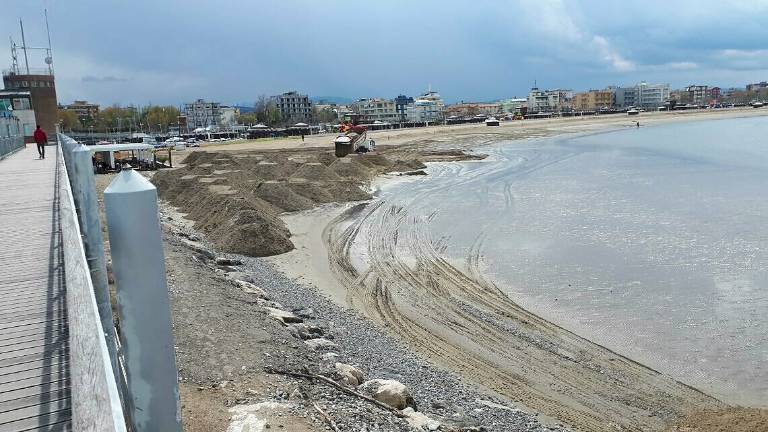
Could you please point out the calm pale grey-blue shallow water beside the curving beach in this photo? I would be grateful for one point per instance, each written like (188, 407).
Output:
(650, 241)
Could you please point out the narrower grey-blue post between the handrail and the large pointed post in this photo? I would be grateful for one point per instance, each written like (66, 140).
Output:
(84, 193)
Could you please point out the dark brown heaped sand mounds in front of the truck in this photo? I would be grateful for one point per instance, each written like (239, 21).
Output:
(236, 198)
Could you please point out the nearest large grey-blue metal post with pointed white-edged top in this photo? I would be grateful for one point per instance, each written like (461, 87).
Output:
(143, 308)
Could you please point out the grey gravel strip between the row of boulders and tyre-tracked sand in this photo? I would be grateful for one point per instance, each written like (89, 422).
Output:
(438, 393)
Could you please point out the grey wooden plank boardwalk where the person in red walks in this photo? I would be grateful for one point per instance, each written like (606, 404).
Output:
(34, 351)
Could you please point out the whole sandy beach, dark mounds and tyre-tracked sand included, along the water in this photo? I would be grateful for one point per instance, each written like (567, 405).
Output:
(452, 316)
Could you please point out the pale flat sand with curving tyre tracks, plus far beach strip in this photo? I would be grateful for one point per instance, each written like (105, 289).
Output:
(460, 320)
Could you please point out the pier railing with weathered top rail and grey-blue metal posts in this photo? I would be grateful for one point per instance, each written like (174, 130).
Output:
(130, 376)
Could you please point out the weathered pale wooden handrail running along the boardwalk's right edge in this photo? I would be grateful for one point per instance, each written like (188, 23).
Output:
(96, 402)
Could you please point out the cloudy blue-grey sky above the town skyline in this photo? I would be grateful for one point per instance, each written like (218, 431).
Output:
(174, 51)
